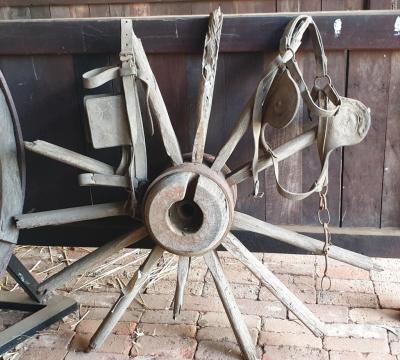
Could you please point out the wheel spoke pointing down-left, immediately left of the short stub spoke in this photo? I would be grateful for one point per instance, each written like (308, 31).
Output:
(129, 293)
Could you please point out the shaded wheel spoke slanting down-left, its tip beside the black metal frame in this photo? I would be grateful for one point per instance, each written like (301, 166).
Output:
(95, 257)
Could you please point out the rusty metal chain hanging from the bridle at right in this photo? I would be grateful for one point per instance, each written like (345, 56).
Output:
(324, 218)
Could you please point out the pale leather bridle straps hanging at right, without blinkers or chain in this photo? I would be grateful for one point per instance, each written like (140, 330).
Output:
(325, 94)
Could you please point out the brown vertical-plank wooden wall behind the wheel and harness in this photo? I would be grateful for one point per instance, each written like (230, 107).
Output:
(365, 182)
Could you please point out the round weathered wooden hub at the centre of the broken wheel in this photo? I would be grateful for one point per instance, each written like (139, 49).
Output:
(189, 209)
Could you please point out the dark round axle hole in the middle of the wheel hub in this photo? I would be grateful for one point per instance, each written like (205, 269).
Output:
(186, 216)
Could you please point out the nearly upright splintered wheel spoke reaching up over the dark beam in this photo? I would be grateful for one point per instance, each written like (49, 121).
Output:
(208, 71)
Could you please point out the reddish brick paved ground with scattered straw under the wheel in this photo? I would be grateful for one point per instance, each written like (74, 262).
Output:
(357, 300)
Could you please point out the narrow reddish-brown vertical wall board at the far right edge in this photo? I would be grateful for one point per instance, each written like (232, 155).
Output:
(391, 182)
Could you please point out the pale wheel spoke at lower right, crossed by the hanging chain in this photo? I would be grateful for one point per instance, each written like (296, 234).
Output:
(248, 223)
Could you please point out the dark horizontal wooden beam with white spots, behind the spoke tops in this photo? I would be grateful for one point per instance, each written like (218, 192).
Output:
(172, 34)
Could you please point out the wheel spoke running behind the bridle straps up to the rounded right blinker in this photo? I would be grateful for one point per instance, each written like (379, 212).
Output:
(282, 152)
